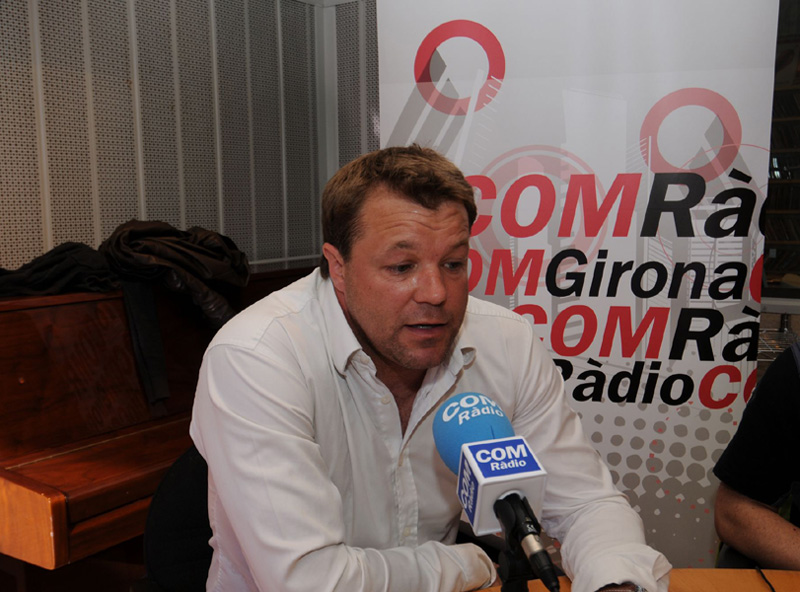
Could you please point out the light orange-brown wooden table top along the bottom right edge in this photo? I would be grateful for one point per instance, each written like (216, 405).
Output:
(712, 580)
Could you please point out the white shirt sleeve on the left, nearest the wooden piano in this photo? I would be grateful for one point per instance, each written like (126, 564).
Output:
(253, 421)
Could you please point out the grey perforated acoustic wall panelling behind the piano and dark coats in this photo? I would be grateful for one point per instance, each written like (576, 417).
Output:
(191, 112)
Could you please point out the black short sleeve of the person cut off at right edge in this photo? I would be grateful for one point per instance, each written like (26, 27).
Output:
(758, 461)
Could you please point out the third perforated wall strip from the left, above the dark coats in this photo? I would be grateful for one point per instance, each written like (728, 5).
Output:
(112, 96)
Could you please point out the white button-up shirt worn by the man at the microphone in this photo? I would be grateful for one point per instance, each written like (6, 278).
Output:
(313, 486)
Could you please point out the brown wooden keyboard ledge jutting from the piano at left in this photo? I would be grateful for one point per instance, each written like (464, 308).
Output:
(72, 503)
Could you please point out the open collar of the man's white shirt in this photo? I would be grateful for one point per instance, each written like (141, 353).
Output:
(344, 343)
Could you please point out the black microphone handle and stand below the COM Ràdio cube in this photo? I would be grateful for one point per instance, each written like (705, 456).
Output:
(525, 554)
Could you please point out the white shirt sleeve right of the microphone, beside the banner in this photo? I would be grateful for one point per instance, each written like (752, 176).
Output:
(602, 537)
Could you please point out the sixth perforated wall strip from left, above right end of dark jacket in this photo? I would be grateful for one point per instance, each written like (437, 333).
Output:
(235, 122)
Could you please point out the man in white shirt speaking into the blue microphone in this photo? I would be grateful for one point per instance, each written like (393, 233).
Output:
(315, 407)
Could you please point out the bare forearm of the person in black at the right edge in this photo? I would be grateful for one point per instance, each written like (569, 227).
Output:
(756, 530)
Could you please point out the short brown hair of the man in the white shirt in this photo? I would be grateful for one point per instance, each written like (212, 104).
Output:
(420, 174)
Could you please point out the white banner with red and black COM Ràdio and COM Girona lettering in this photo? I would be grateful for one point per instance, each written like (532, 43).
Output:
(620, 151)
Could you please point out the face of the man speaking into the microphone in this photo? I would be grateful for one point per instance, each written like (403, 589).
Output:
(404, 287)
